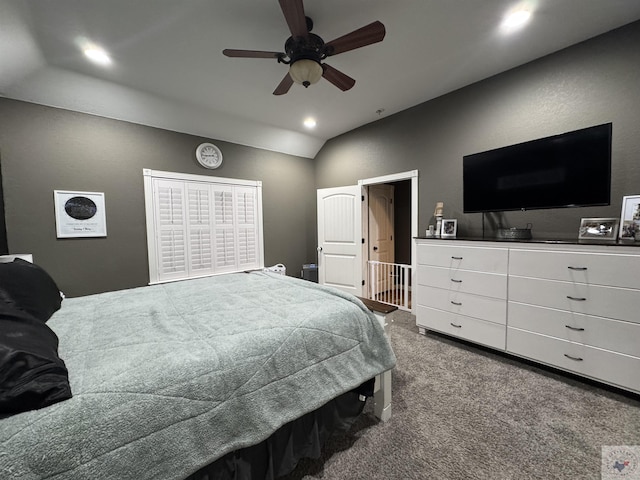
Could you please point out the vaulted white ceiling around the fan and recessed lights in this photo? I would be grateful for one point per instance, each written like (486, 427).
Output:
(168, 70)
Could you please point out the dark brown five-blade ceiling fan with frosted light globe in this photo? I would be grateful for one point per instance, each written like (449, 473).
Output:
(304, 51)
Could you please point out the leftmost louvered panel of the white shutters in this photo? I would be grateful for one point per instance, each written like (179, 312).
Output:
(170, 229)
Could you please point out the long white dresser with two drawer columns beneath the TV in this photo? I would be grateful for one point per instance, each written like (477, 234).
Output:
(574, 307)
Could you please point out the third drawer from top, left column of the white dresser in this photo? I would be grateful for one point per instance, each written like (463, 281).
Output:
(485, 308)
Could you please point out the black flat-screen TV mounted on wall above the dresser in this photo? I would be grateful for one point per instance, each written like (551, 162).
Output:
(572, 169)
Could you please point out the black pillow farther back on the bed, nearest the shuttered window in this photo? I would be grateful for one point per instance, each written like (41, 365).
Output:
(28, 287)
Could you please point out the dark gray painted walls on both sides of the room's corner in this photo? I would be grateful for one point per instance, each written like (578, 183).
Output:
(43, 149)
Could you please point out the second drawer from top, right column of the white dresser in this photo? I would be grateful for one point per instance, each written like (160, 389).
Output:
(609, 302)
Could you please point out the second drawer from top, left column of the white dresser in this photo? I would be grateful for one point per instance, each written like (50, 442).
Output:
(489, 284)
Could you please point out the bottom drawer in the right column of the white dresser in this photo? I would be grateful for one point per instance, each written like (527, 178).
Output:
(609, 367)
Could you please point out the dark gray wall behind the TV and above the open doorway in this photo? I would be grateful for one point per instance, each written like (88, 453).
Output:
(592, 83)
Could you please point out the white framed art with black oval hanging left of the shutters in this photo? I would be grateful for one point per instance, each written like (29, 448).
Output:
(80, 214)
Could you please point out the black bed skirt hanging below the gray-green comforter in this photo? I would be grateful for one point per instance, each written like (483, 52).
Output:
(279, 454)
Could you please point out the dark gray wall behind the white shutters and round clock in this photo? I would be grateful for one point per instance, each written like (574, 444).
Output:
(44, 149)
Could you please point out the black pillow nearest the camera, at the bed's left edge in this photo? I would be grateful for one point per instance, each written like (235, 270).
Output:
(32, 375)
